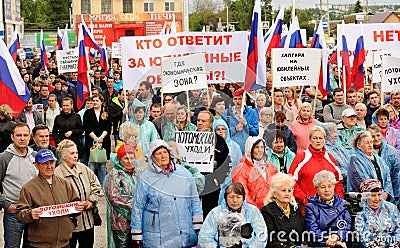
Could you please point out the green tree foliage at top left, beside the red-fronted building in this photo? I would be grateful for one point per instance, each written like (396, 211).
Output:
(48, 14)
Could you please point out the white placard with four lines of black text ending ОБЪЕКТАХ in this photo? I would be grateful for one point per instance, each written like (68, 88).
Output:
(295, 66)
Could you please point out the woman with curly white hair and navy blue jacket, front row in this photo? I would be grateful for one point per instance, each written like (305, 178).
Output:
(326, 215)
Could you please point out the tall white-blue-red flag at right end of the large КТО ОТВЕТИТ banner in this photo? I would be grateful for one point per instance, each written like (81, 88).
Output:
(255, 69)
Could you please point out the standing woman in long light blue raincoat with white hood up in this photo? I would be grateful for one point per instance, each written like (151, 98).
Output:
(166, 208)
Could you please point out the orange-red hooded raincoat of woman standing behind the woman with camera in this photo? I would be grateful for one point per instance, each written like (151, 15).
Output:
(255, 185)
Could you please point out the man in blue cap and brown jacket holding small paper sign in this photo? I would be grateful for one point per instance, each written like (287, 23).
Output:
(45, 190)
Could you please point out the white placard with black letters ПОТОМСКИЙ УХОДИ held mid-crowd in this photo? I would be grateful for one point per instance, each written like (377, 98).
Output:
(197, 149)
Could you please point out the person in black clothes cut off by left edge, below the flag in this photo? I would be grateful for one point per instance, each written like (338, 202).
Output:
(6, 126)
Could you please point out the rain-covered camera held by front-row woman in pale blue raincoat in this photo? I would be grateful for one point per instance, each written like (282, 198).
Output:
(232, 228)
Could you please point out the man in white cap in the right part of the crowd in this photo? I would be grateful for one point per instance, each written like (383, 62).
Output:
(347, 129)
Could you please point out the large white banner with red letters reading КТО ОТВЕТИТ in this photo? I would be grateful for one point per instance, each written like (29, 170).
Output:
(226, 55)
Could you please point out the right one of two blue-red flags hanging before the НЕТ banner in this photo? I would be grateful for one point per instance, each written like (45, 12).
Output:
(357, 73)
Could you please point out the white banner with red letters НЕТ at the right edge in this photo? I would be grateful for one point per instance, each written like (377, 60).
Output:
(377, 36)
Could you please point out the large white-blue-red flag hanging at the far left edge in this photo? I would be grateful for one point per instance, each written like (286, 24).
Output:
(13, 90)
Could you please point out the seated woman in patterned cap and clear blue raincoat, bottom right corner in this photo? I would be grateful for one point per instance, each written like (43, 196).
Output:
(379, 222)
